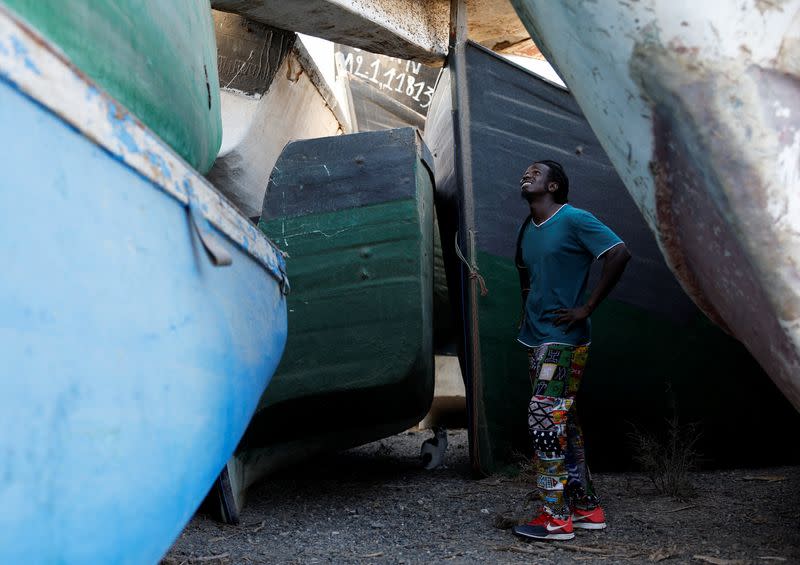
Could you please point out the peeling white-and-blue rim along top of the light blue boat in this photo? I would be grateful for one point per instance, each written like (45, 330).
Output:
(42, 70)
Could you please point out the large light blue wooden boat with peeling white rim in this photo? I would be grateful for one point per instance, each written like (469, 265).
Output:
(141, 319)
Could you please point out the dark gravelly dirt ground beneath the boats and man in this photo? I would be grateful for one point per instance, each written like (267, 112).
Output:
(375, 504)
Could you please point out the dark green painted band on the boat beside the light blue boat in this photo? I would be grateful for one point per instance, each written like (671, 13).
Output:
(359, 313)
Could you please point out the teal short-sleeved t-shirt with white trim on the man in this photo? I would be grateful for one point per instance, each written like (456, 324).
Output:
(558, 254)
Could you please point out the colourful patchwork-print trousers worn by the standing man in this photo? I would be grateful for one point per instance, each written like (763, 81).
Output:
(563, 478)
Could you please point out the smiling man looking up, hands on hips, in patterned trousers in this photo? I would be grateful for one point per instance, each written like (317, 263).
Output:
(555, 249)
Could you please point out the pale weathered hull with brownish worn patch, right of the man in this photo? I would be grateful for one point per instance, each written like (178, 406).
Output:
(696, 105)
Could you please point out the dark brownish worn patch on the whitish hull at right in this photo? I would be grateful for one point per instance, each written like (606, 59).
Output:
(702, 179)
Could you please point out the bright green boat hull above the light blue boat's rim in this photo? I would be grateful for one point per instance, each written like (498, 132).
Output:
(142, 53)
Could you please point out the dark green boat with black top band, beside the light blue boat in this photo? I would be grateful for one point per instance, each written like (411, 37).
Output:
(355, 213)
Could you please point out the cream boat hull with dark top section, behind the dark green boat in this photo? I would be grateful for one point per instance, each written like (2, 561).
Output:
(272, 93)
